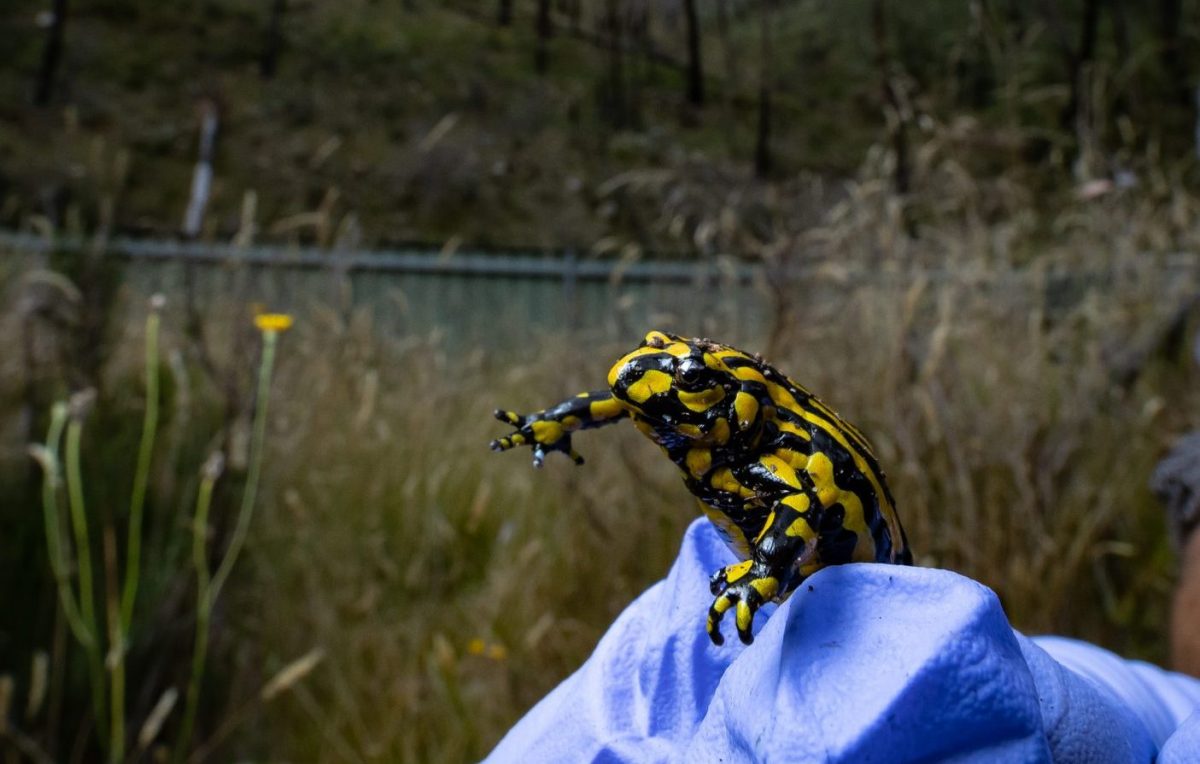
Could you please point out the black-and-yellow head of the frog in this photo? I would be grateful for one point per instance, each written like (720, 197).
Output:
(677, 388)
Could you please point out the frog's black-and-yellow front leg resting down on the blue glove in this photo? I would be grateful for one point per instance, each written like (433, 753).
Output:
(779, 556)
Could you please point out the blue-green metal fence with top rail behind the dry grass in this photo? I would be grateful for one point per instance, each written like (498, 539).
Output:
(466, 297)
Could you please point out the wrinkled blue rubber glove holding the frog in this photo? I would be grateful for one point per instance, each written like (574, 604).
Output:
(865, 663)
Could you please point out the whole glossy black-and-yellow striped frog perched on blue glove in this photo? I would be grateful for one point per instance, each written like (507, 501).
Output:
(790, 485)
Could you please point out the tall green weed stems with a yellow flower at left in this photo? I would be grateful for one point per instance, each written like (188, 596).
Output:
(106, 657)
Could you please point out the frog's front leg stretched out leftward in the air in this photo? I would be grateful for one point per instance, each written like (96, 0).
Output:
(550, 430)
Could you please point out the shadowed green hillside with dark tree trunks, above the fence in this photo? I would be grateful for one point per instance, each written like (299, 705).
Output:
(404, 121)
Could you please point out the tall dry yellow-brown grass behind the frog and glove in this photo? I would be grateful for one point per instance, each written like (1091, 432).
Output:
(395, 542)
